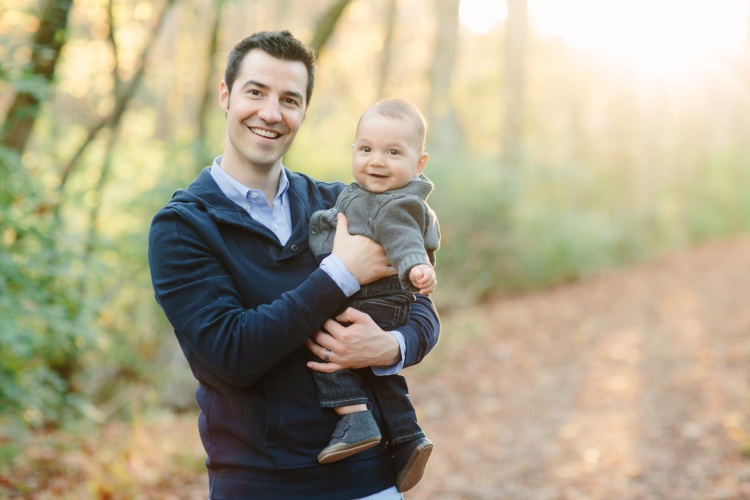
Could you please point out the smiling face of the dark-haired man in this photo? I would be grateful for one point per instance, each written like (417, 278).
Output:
(265, 109)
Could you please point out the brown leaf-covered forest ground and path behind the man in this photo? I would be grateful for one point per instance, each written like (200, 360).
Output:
(630, 385)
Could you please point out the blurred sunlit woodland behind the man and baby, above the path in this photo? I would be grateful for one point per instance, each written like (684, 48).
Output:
(566, 140)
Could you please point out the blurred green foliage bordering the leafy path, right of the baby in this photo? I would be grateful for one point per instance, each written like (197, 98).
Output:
(507, 230)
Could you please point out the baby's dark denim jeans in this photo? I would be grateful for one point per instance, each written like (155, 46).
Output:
(388, 305)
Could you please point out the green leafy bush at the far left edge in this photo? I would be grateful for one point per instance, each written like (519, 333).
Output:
(45, 332)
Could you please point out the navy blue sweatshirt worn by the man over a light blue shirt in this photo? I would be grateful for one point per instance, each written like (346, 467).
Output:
(242, 305)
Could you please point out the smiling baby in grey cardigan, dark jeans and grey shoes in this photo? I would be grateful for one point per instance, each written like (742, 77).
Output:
(388, 204)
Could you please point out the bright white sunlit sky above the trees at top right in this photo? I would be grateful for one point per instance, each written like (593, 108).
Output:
(654, 36)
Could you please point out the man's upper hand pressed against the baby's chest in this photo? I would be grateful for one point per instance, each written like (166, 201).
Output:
(363, 257)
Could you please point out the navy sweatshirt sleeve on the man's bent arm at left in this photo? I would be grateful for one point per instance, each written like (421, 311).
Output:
(202, 302)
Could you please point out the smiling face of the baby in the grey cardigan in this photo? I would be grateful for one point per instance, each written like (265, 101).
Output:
(386, 153)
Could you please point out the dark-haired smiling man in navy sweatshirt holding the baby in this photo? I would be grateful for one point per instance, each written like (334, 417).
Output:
(232, 270)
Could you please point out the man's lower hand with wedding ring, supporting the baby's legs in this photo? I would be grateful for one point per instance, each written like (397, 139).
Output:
(359, 345)
